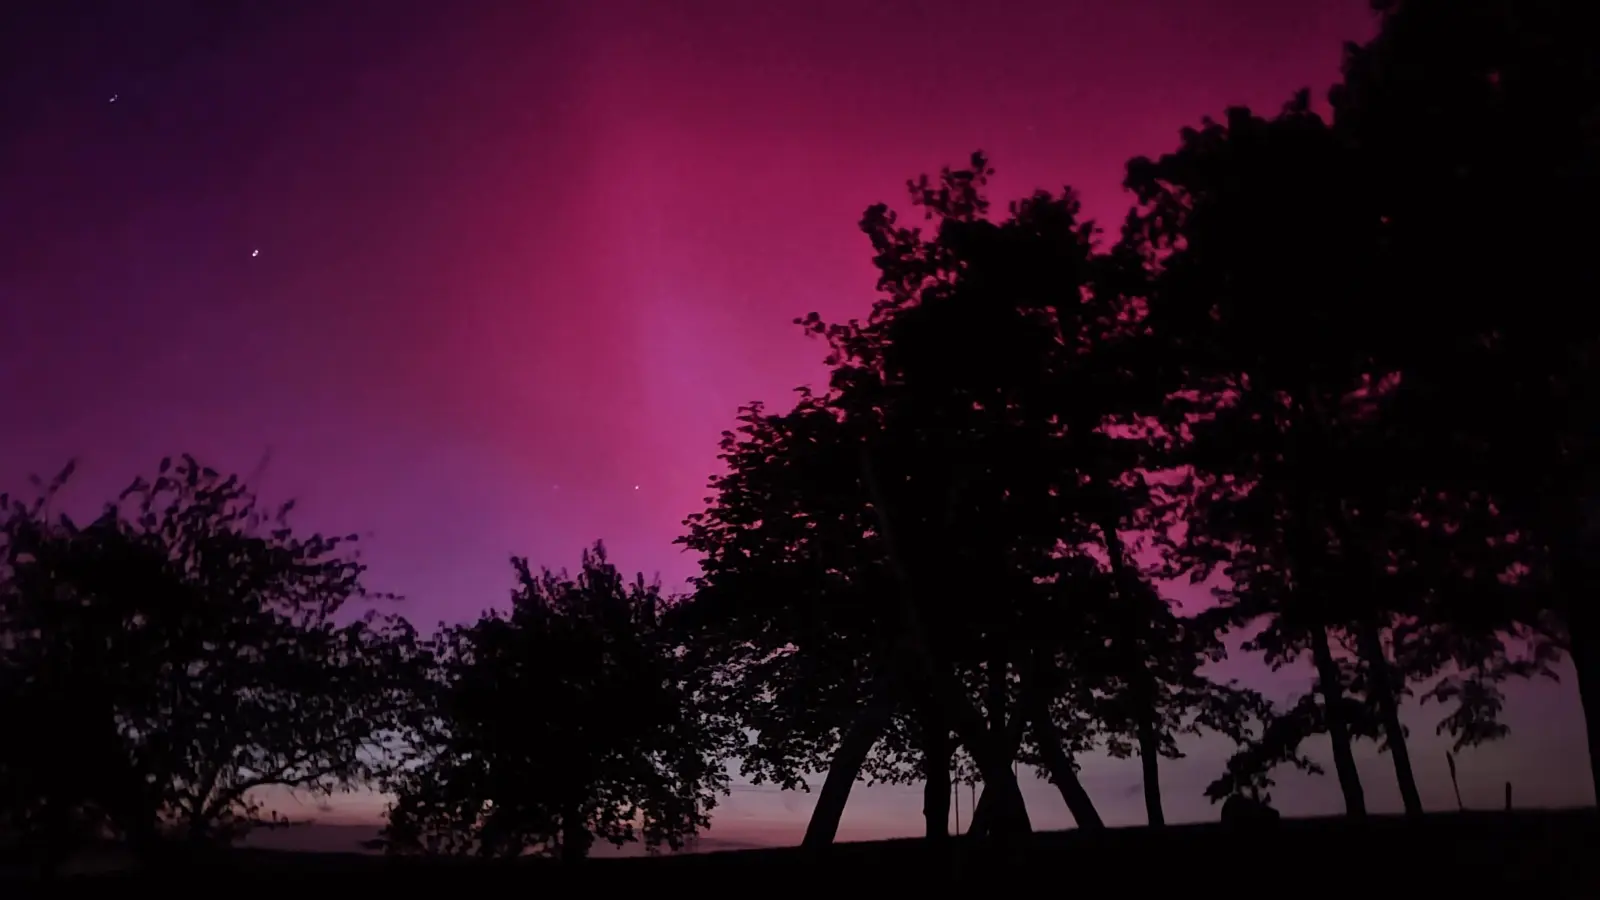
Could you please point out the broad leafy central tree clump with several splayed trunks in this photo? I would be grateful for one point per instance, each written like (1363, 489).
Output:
(945, 534)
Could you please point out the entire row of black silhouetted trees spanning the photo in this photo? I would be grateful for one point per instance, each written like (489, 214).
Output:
(1340, 366)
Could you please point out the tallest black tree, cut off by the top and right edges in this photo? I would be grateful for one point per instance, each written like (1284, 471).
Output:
(1466, 118)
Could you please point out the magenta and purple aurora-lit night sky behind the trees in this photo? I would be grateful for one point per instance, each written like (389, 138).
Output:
(482, 278)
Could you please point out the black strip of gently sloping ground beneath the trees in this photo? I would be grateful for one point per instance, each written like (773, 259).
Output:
(1529, 854)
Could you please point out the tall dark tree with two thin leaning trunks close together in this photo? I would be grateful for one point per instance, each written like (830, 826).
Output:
(1262, 238)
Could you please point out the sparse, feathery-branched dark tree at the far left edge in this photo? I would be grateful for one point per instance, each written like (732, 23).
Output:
(183, 651)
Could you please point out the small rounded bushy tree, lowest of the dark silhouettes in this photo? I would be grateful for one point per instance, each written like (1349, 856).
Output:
(569, 720)
